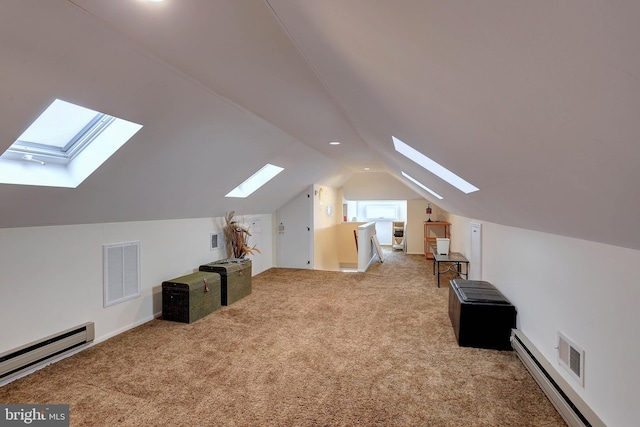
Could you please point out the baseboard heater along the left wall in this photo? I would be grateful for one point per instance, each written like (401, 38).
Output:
(44, 351)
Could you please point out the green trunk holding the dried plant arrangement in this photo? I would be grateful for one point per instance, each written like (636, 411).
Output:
(235, 278)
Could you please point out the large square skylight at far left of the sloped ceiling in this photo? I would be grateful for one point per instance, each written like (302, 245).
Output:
(63, 146)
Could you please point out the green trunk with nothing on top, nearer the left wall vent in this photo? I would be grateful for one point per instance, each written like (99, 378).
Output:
(189, 298)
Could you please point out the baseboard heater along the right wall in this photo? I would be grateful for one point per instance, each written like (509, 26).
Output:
(571, 406)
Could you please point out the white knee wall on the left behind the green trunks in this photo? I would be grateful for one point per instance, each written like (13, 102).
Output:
(52, 277)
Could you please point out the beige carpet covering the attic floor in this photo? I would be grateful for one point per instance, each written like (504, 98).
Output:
(306, 348)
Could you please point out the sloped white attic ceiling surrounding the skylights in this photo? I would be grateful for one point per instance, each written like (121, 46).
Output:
(535, 103)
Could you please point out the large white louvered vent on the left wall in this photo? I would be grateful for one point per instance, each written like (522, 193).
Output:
(121, 272)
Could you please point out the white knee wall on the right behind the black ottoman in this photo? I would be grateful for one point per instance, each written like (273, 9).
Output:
(586, 290)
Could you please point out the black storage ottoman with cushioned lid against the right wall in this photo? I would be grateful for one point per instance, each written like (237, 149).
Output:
(480, 315)
